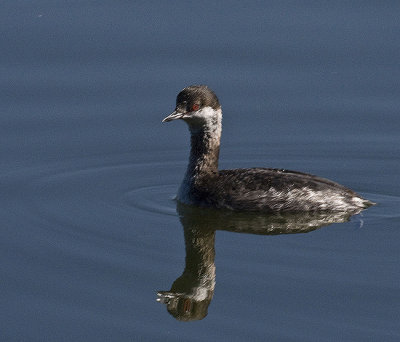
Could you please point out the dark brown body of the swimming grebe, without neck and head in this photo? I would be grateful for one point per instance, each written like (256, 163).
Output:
(274, 190)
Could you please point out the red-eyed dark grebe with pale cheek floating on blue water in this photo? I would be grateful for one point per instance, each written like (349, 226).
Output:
(253, 189)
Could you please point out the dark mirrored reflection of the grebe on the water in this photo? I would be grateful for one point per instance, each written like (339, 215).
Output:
(191, 293)
